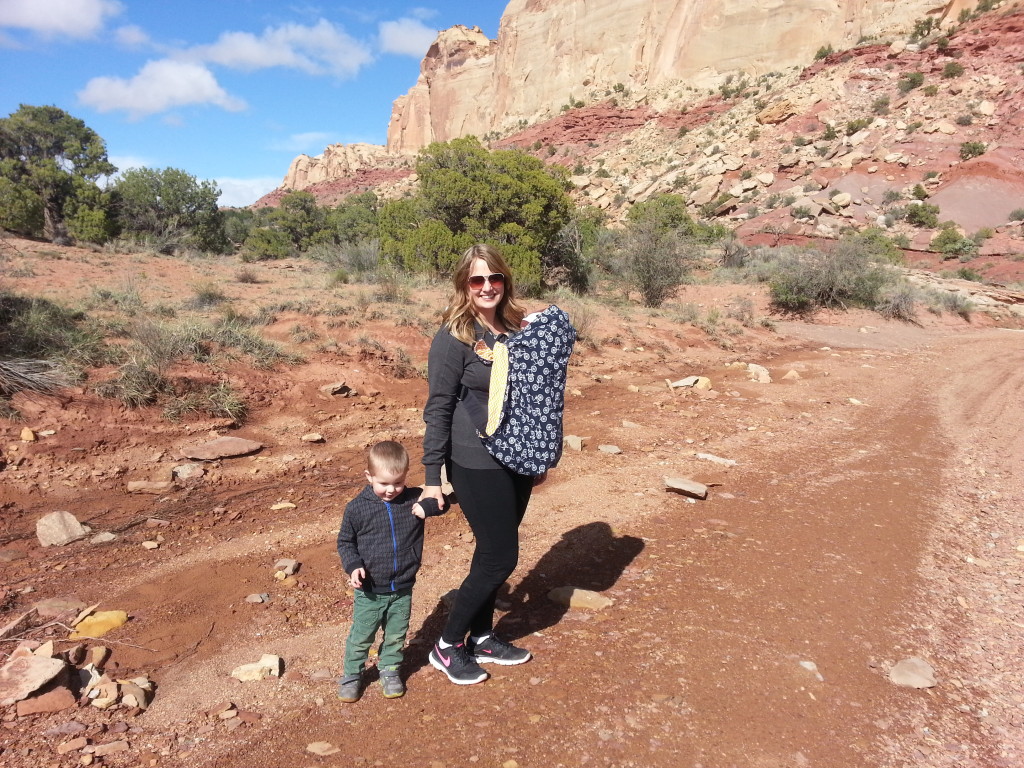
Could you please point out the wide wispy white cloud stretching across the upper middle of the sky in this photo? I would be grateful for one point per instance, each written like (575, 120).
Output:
(321, 50)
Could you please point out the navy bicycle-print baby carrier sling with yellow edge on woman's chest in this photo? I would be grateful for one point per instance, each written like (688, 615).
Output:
(522, 426)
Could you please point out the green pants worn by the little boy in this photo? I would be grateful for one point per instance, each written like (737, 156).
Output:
(370, 614)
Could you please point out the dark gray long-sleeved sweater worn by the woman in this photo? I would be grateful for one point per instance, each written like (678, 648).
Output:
(450, 434)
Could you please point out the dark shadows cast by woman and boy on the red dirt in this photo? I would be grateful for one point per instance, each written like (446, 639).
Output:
(589, 557)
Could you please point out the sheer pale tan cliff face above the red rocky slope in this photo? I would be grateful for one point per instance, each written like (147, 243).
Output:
(549, 53)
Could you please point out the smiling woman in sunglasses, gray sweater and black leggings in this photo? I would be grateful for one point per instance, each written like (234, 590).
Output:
(483, 312)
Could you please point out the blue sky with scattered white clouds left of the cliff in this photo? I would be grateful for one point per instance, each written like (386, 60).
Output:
(230, 91)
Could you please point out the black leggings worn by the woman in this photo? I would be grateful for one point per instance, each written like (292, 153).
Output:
(494, 502)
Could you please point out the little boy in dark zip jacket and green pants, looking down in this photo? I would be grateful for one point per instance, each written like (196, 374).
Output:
(381, 546)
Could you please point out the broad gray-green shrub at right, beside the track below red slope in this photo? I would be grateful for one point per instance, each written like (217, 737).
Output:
(804, 281)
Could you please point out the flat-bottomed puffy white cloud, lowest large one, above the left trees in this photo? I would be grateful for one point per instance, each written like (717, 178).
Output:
(159, 87)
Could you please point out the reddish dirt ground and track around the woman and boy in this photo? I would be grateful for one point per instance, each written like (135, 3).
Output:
(873, 516)
